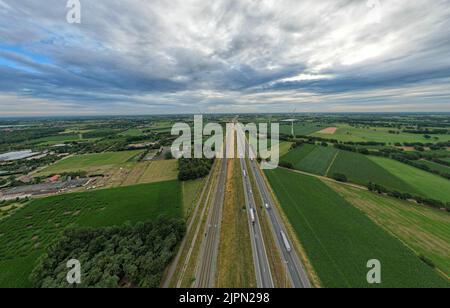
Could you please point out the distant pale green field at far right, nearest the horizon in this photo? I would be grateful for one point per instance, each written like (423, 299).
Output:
(347, 133)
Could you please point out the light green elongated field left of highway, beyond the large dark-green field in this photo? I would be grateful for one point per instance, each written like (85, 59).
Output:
(91, 163)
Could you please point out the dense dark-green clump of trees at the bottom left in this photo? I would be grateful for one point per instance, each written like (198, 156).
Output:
(123, 256)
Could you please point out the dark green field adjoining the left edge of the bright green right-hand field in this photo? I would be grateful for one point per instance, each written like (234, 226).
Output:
(360, 169)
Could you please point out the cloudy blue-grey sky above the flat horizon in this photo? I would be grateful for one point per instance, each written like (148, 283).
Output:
(182, 56)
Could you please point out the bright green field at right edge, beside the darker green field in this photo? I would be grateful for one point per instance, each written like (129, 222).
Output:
(427, 184)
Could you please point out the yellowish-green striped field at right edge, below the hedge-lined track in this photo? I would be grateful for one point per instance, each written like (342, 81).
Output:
(425, 230)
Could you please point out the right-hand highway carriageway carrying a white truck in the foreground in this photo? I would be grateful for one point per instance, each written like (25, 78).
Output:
(294, 267)
